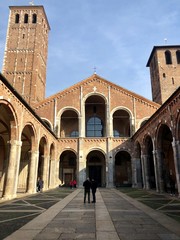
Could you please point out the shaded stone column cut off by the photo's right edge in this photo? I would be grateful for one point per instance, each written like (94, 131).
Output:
(176, 151)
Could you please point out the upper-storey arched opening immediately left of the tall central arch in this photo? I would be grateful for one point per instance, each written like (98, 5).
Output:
(69, 124)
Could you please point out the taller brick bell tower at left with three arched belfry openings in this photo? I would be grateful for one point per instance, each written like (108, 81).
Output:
(26, 49)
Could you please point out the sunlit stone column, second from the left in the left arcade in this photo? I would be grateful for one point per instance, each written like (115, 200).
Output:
(33, 172)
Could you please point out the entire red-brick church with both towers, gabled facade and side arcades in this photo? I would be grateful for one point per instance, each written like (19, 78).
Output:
(94, 128)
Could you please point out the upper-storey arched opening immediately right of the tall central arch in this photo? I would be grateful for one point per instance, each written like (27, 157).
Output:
(121, 123)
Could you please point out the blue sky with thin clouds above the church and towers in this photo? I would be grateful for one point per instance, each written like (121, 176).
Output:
(115, 36)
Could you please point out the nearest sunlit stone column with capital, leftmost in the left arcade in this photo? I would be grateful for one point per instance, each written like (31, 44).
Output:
(12, 176)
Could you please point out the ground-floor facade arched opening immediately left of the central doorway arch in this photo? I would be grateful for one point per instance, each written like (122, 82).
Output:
(68, 167)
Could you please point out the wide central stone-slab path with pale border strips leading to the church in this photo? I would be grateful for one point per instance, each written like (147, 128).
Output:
(115, 216)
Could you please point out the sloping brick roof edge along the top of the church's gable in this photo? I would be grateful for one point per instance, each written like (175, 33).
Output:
(97, 78)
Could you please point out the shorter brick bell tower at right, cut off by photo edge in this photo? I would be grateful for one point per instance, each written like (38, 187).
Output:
(164, 63)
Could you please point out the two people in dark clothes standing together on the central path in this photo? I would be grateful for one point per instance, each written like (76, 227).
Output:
(87, 186)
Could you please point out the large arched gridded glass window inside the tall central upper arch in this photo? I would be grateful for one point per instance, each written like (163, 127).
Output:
(94, 127)
